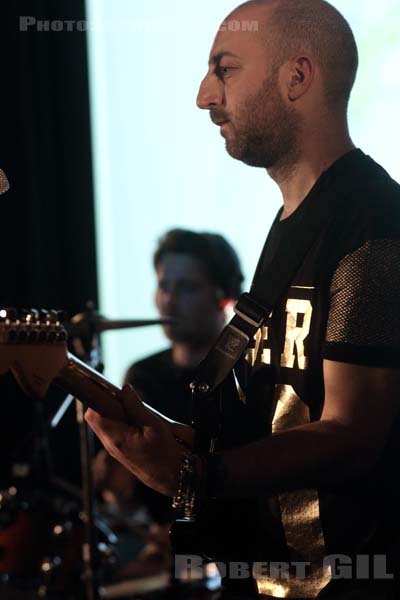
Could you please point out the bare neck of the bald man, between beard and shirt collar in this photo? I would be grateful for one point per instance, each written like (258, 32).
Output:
(320, 149)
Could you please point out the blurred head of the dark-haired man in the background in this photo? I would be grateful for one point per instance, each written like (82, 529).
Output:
(197, 273)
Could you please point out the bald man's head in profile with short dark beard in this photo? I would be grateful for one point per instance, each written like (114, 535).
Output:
(284, 67)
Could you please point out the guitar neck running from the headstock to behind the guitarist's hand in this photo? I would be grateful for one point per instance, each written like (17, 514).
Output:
(96, 392)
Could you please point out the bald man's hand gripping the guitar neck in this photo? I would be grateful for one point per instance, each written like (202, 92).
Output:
(145, 445)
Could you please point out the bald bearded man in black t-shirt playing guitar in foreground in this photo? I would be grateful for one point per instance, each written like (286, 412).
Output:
(325, 482)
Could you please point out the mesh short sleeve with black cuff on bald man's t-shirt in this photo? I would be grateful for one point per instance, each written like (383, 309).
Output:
(364, 314)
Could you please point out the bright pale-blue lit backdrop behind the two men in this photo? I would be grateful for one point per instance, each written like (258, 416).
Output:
(160, 163)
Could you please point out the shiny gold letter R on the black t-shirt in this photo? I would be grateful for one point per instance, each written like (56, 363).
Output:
(296, 332)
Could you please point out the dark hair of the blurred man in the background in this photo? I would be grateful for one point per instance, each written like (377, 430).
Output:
(219, 259)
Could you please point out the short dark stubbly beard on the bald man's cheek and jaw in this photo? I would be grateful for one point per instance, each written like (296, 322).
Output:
(266, 132)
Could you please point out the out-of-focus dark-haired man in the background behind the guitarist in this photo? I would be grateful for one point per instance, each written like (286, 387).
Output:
(198, 277)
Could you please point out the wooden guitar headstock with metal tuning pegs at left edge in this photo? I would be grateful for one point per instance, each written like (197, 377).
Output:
(32, 346)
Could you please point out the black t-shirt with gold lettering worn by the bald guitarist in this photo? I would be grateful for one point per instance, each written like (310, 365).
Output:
(343, 305)
